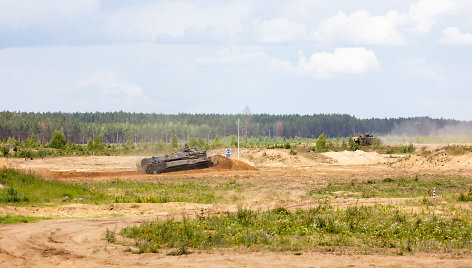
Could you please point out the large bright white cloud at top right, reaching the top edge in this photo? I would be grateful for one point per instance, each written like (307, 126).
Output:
(361, 27)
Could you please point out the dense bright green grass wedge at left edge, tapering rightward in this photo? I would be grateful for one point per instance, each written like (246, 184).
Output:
(21, 188)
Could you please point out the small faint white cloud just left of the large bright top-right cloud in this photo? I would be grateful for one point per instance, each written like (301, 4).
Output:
(279, 31)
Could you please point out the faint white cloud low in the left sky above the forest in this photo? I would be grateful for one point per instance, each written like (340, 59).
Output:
(113, 85)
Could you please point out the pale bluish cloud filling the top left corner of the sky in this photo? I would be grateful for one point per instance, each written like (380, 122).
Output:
(17, 15)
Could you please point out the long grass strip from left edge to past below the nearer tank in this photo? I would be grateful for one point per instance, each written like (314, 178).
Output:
(24, 189)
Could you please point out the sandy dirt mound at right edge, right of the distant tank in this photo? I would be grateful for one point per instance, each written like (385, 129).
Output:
(439, 159)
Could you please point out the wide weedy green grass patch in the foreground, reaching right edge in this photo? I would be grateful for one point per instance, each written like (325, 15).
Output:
(380, 226)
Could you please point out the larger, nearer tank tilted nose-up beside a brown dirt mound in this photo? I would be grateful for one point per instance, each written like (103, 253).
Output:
(183, 160)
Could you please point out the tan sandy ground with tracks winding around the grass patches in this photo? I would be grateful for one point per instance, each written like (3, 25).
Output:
(77, 240)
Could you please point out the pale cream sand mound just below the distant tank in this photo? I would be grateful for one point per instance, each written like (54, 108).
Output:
(355, 158)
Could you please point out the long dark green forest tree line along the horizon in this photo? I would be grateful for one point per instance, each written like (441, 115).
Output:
(118, 127)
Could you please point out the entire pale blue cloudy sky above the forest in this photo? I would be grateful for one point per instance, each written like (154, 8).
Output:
(367, 58)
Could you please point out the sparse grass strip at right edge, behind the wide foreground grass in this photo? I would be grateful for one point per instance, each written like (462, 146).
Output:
(399, 187)
